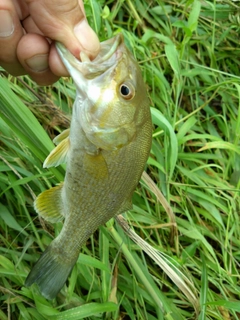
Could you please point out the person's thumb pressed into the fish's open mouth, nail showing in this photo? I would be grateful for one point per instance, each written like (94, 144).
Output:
(65, 21)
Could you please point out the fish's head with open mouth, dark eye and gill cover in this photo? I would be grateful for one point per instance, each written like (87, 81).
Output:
(111, 101)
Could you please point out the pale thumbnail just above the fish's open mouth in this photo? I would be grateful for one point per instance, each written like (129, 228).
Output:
(87, 37)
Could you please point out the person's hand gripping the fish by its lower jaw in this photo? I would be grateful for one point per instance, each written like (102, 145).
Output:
(27, 28)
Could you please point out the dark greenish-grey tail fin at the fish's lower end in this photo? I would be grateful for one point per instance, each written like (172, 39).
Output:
(50, 273)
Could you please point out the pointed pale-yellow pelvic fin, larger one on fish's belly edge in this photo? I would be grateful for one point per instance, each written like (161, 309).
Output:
(58, 155)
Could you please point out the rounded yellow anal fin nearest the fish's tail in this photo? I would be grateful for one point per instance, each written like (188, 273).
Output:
(49, 204)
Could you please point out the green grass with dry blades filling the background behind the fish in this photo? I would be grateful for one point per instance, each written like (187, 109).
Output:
(187, 205)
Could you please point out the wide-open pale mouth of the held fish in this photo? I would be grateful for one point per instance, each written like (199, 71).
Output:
(110, 51)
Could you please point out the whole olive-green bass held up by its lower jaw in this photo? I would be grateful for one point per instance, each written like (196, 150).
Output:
(105, 151)
